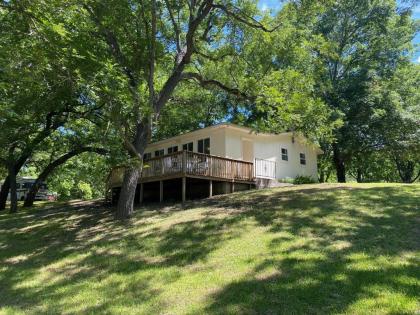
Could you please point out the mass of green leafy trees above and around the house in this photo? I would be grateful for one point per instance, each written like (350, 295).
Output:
(81, 77)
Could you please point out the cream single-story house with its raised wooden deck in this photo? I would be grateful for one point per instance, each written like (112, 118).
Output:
(217, 160)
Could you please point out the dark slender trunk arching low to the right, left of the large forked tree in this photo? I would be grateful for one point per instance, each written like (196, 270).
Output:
(30, 197)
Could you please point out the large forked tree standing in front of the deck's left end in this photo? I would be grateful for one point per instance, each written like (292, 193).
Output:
(152, 47)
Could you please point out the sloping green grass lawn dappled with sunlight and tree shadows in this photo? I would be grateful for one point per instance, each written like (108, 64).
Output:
(314, 249)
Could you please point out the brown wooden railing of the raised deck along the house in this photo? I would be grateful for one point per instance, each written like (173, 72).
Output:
(190, 164)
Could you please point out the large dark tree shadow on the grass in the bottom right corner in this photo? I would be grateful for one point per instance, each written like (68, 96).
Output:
(314, 287)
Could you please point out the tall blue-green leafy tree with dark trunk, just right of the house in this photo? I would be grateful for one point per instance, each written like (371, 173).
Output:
(361, 43)
